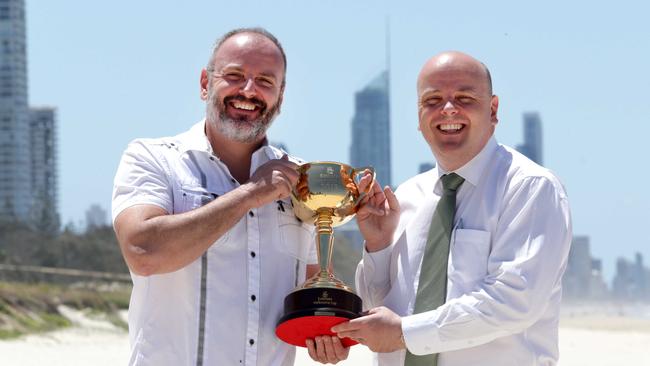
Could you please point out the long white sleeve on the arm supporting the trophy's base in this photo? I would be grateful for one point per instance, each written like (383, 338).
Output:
(529, 254)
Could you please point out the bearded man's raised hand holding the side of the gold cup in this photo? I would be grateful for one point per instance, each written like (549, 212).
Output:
(272, 181)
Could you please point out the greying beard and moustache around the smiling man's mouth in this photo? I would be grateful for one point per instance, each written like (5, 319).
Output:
(240, 130)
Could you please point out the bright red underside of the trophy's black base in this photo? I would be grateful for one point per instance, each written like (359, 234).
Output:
(296, 331)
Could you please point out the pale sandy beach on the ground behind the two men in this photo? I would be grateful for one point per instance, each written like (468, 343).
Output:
(598, 335)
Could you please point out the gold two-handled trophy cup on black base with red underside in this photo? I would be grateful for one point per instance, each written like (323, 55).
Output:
(327, 195)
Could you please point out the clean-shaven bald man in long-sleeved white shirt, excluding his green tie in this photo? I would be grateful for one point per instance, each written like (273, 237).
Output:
(508, 248)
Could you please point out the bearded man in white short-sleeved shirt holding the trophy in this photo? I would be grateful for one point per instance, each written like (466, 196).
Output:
(205, 224)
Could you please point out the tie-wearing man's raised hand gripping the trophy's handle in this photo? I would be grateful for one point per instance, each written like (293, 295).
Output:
(378, 215)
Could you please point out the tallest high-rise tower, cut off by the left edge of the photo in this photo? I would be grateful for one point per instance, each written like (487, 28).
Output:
(15, 180)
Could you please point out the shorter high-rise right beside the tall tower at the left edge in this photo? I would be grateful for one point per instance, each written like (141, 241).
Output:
(44, 180)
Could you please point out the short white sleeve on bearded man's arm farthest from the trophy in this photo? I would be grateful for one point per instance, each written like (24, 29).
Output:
(141, 178)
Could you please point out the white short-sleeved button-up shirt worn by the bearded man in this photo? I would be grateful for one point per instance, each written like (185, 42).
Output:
(221, 309)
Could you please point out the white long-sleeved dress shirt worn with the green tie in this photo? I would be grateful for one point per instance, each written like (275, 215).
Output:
(509, 248)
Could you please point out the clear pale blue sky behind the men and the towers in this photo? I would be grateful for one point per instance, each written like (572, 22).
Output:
(118, 70)
